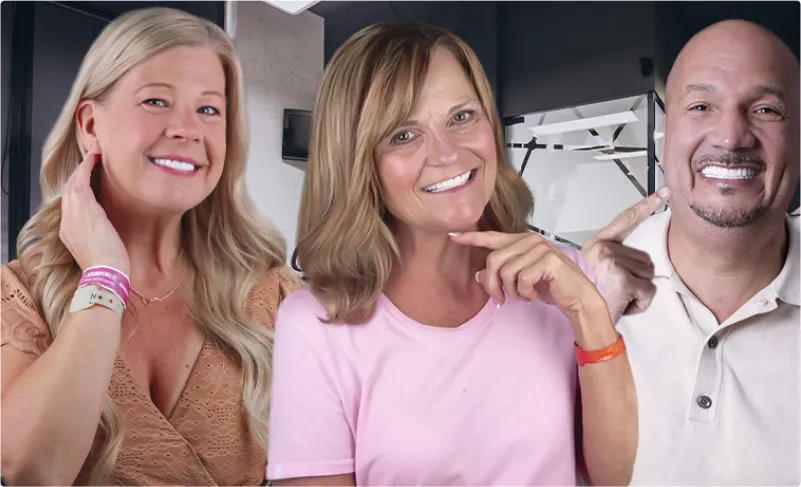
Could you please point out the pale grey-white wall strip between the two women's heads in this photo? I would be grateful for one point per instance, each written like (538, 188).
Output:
(282, 61)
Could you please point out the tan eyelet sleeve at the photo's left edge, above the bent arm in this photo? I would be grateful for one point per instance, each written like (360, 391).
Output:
(22, 326)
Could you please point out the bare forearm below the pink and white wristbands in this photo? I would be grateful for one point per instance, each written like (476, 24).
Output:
(51, 411)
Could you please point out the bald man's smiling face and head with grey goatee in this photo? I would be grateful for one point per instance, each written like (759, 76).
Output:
(731, 144)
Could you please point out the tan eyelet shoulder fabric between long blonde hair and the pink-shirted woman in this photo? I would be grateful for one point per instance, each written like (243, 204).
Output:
(273, 287)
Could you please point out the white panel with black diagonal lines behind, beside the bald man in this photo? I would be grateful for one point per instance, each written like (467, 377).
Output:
(576, 195)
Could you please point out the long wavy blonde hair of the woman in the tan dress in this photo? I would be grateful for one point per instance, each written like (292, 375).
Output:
(228, 246)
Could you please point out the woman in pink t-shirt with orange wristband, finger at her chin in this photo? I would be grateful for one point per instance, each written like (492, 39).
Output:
(437, 341)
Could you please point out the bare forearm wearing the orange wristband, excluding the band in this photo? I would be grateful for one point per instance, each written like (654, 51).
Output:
(609, 406)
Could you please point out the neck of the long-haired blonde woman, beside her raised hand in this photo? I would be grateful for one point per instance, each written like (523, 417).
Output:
(153, 243)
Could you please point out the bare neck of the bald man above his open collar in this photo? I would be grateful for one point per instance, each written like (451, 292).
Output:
(725, 267)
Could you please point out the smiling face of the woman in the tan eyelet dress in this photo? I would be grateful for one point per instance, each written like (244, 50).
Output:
(162, 131)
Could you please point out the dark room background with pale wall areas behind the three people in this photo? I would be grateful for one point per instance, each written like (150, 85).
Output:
(578, 84)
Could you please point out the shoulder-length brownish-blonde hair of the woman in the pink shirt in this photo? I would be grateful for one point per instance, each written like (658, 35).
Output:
(345, 248)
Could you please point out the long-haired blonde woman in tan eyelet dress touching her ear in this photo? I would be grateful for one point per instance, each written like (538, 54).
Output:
(160, 372)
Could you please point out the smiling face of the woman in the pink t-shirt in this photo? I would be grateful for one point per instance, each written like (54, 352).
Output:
(437, 171)
